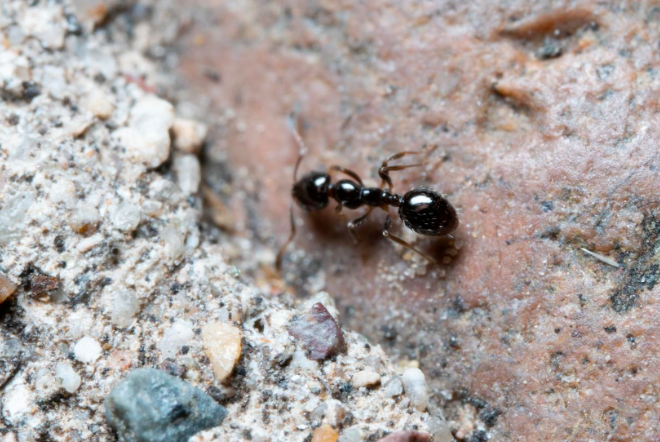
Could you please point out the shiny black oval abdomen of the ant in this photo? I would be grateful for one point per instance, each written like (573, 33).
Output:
(428, 213)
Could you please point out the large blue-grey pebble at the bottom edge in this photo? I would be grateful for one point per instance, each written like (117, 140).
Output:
(150, 405)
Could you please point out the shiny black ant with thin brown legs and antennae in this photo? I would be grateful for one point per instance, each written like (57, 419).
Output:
(422, 210)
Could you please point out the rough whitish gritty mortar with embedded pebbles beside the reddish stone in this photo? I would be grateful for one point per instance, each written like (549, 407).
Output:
(107, 265)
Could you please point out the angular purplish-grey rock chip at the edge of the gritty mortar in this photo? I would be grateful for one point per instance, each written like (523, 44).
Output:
(318, 333)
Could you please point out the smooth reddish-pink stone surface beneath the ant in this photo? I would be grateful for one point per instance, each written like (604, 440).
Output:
(545, 114)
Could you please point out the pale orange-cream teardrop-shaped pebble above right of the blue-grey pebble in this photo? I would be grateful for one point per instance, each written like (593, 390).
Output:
(222, 344)
